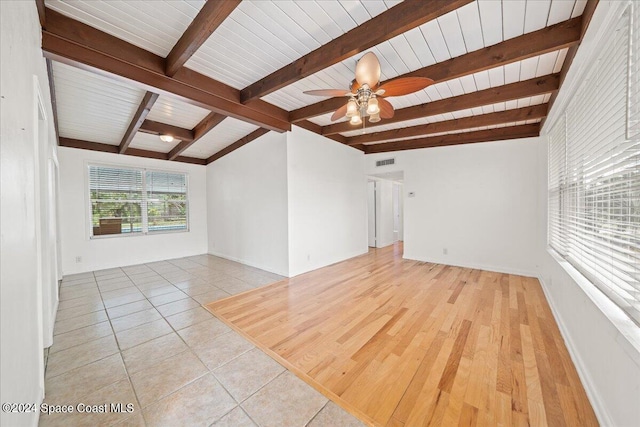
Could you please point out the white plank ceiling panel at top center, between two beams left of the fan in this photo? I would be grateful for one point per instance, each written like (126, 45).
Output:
(260, 37)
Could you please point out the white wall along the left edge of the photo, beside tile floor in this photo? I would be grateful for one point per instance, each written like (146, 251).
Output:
(25, 237)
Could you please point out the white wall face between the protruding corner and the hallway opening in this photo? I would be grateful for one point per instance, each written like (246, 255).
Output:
(327, 201)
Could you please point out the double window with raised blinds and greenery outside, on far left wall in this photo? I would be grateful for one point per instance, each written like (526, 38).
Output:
(130, 201)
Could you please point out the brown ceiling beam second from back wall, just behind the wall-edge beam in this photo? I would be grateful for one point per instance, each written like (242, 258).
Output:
(508, 116)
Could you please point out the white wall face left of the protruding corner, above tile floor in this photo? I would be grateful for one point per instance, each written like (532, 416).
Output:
(247, 204)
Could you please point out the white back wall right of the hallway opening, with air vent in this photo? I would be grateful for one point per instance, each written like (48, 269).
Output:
(477, 201)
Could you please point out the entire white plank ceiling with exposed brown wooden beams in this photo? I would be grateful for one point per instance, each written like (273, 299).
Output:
(215, 75)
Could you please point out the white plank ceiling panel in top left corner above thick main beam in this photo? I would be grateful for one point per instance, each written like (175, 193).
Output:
(152, 25)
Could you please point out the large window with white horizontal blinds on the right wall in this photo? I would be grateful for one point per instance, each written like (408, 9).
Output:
(594, 173)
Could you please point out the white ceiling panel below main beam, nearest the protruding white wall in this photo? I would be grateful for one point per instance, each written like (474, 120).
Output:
(223, 135)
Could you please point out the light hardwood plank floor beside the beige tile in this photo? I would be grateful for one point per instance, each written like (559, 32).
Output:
(406, 343)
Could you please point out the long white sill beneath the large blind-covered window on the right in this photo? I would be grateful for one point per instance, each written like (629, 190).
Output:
(628, 335)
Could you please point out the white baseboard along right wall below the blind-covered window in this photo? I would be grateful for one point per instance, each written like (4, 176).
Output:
(583, 372)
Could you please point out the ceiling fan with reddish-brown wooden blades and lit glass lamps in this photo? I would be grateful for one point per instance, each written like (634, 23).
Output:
(366, 96)
